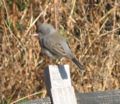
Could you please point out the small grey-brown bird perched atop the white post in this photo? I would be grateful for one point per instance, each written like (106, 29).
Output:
(53, 44)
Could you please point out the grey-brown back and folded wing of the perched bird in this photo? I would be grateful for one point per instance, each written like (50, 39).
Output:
(56, 45)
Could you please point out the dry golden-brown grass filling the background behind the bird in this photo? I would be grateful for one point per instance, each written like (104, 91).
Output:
(92, 28)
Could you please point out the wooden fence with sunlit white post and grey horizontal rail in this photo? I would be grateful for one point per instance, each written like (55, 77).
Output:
(59, 88)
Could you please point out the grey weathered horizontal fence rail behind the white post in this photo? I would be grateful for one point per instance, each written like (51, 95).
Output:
(102, 97)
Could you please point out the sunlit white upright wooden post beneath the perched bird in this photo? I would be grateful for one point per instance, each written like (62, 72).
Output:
(58, 83)
